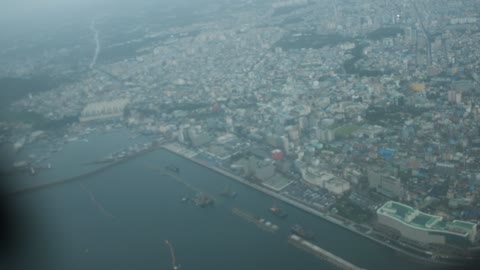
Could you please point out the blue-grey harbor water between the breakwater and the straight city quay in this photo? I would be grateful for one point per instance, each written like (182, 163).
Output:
(159, 205)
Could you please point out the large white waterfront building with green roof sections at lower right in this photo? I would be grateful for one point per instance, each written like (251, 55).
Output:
(426, 228)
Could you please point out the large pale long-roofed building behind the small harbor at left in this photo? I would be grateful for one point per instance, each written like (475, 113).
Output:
(103, 110)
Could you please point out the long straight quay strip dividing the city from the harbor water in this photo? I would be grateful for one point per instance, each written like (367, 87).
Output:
(311, 211)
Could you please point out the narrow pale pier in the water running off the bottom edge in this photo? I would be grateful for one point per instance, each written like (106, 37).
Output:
(309, 247)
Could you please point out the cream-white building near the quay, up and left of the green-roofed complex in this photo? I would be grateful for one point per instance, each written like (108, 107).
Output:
(328, 181)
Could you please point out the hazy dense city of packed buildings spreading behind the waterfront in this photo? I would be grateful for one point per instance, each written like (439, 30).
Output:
(366, 111)
